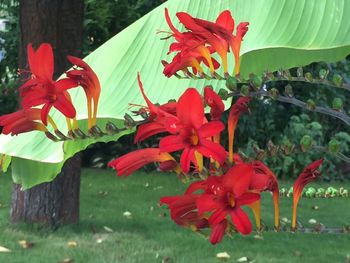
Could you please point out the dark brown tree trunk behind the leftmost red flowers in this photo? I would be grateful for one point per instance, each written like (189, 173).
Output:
(60, 23)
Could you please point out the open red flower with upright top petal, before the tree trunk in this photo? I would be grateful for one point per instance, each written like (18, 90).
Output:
(41, 89)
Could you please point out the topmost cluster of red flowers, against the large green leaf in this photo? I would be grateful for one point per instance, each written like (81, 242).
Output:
(201, 41)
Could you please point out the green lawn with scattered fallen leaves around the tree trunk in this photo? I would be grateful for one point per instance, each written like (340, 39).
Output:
(150, 237)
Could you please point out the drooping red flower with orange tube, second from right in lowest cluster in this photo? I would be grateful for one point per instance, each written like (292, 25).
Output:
(265, 180)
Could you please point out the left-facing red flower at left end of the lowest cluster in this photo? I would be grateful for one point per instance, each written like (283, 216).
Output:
(183, 211)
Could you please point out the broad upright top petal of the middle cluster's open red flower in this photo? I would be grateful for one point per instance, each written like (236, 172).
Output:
(190, 109)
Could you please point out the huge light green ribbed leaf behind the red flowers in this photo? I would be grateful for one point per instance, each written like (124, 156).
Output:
(282, 34)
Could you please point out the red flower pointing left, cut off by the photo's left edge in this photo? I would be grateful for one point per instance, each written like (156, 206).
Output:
(21, 121)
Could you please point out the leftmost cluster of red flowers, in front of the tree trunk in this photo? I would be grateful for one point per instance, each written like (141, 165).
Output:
(41, 92)
